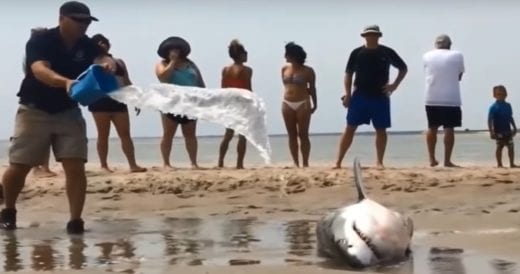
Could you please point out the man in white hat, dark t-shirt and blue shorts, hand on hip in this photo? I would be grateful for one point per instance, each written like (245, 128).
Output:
(370, 99)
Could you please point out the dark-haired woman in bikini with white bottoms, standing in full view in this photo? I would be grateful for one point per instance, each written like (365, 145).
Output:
(299, 82)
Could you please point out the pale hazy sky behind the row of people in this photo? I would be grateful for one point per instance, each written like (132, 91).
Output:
(484, 31)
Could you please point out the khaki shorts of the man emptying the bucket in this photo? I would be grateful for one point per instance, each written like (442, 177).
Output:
(37, 131)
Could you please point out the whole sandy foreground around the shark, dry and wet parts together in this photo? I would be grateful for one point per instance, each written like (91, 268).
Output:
(262, 220)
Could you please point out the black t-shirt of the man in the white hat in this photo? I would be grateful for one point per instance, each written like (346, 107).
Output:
(372, 68)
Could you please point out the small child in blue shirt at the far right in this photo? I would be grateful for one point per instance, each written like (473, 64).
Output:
(500, 120)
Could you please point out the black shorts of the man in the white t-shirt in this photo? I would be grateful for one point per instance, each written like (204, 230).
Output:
(445, 116)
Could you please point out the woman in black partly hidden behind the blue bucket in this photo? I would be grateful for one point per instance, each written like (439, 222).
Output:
(108, 111)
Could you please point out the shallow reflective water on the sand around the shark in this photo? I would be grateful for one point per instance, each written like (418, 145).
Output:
(153, 245)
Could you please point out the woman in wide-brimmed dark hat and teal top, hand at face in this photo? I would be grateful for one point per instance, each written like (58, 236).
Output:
(176, 68)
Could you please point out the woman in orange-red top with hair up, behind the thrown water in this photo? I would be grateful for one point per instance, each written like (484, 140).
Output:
(236, 75)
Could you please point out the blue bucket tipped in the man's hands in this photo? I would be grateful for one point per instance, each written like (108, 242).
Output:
(92, 85)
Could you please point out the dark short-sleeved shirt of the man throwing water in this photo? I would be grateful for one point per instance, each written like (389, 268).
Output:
(48, 46)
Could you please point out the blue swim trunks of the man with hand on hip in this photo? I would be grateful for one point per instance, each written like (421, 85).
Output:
(364, 109)
